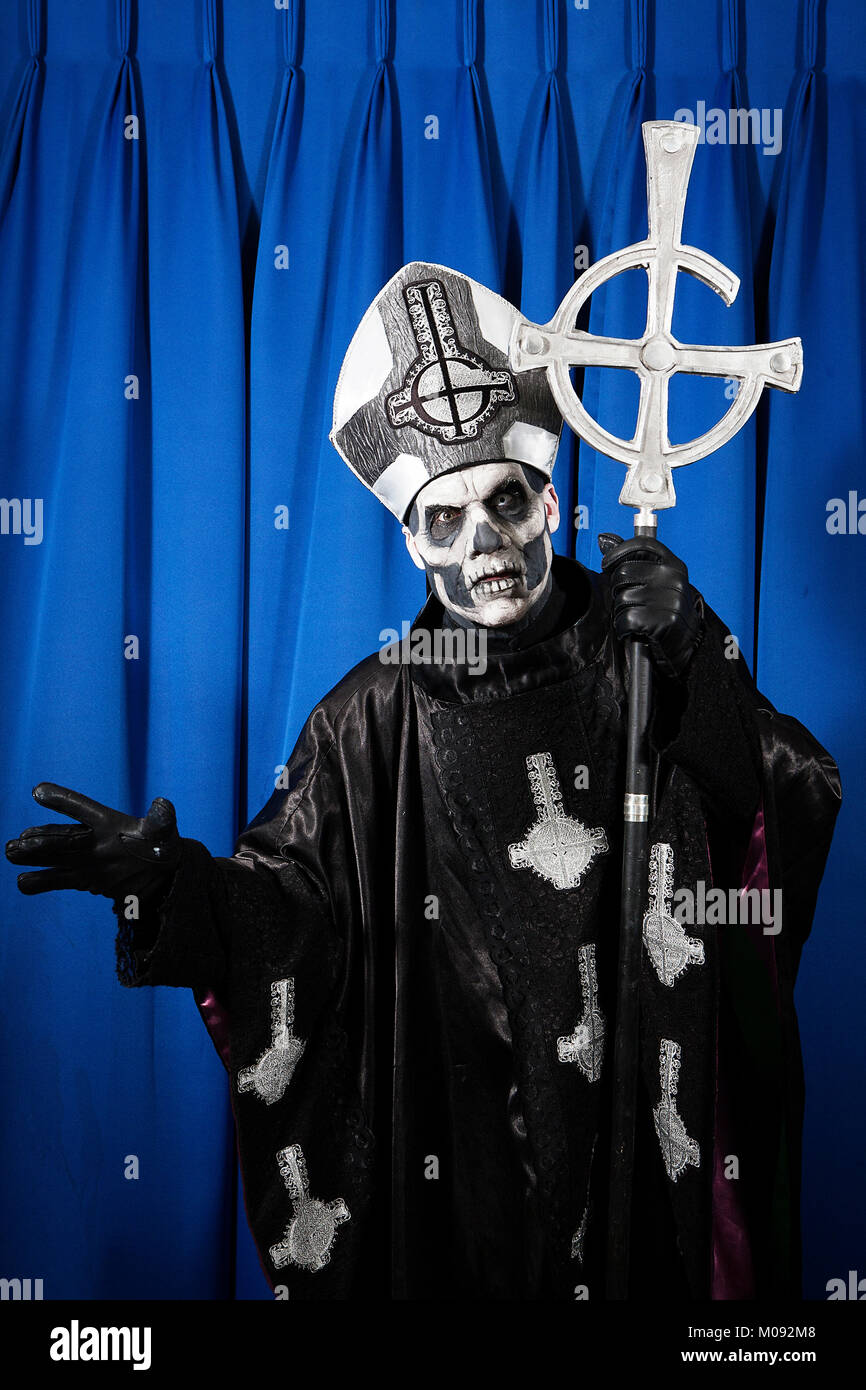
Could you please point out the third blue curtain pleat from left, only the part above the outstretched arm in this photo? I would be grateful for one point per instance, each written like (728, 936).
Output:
(199, 473)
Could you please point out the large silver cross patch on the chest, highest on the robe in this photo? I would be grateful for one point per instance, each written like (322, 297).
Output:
(558, 847)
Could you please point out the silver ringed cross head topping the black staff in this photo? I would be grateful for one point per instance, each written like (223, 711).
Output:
(657, 357)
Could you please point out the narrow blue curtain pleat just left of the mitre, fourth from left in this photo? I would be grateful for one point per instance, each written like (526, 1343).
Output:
(286, 341)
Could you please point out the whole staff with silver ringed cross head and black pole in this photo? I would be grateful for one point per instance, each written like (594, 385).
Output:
(650, 458)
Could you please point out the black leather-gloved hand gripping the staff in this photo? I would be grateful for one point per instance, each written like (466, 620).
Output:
(653, 600)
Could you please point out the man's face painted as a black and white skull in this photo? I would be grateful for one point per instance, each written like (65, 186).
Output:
(483, 534)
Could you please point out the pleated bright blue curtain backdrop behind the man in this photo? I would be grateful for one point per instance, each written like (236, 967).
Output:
(177, 293)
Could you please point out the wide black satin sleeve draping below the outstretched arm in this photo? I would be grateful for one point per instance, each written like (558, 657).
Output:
(269, 943)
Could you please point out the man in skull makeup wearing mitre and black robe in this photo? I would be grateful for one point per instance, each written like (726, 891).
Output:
(409, 964)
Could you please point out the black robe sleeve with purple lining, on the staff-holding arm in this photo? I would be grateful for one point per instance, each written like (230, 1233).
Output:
(771, 796)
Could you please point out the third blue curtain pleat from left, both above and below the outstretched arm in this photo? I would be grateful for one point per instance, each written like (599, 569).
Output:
(195, 665)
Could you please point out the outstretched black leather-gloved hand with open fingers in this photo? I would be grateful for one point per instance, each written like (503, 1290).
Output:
(111, 854)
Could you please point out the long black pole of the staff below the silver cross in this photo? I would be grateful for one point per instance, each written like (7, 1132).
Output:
(636, 825)
